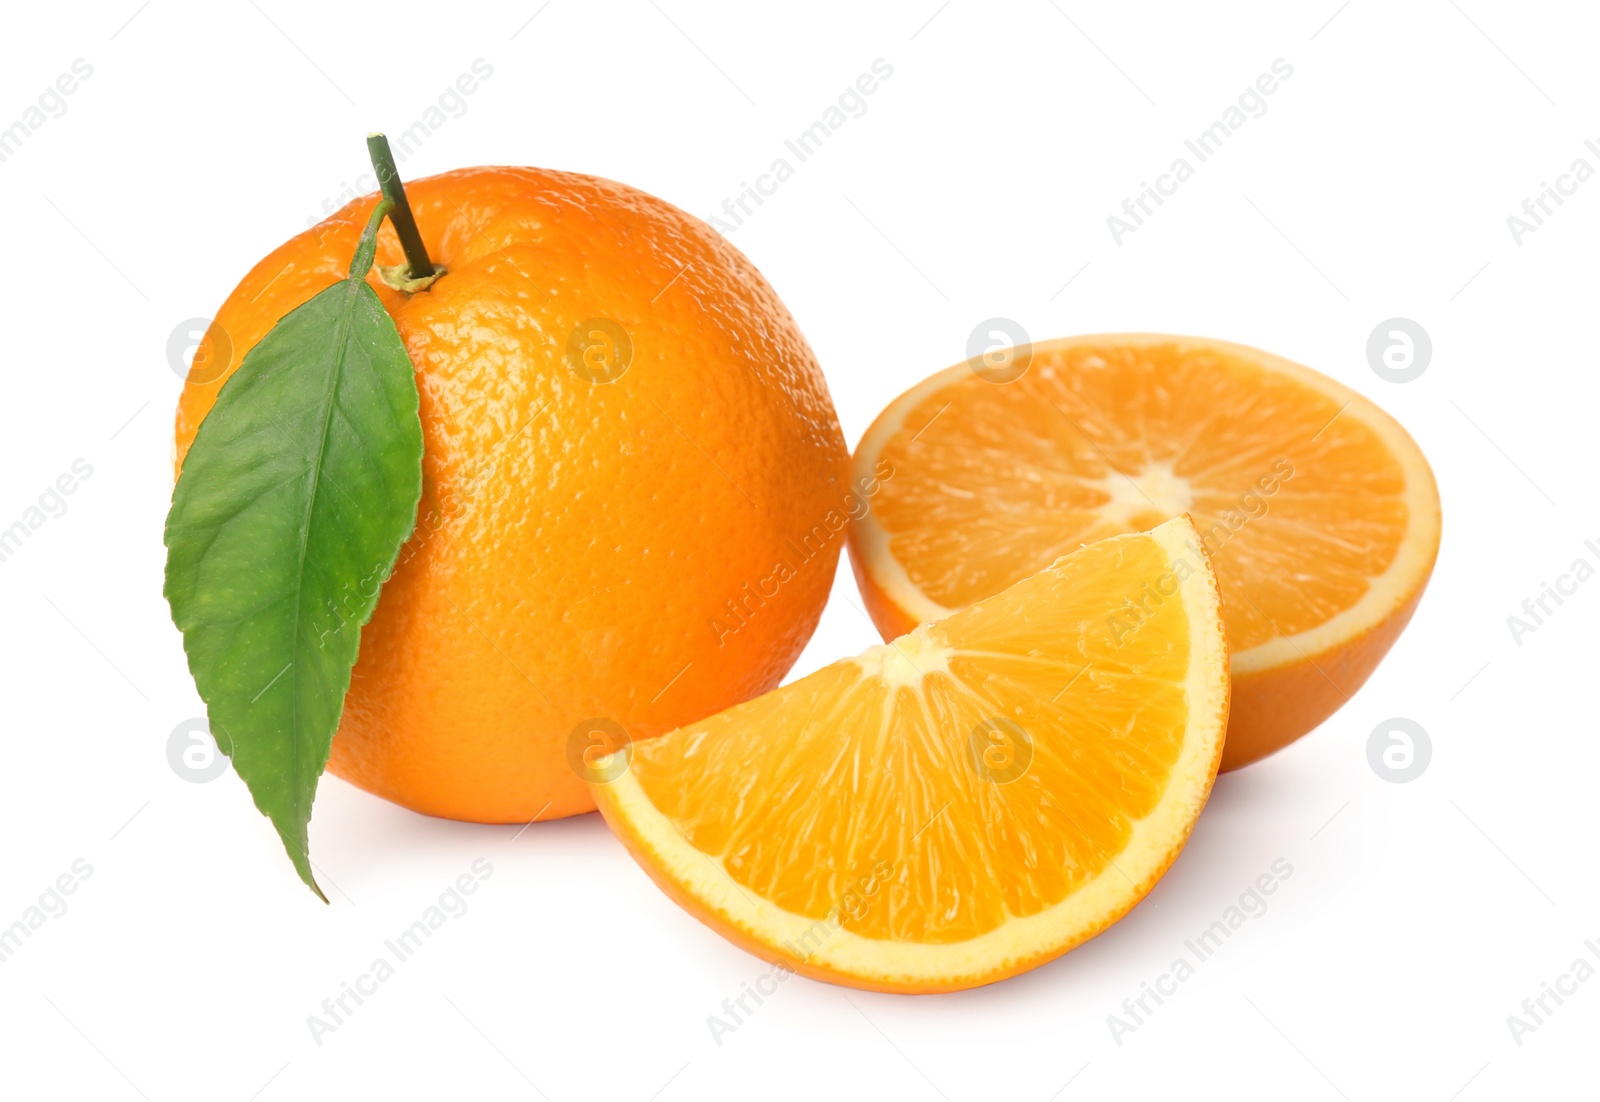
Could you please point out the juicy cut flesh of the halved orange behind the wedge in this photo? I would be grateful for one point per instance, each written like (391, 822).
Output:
(1298, 508)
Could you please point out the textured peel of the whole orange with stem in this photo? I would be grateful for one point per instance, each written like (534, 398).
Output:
(575, 540)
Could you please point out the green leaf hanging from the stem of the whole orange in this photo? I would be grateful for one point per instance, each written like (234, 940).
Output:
(294, 503)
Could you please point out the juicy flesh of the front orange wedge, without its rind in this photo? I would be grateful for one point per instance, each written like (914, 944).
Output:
(881, 778)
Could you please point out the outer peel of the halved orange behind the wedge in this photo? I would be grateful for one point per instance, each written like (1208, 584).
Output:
(1270, 709)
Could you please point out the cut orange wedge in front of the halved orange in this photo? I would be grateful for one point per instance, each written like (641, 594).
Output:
(959, 805)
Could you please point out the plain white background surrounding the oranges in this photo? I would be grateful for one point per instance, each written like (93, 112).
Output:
(978, 183)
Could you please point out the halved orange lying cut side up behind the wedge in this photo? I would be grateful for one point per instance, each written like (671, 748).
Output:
(1316, 506)
